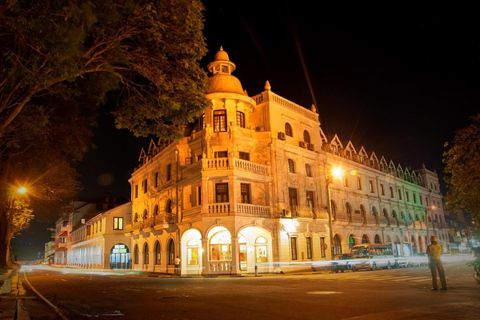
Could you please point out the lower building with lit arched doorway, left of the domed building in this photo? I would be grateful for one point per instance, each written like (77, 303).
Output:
(90, 234)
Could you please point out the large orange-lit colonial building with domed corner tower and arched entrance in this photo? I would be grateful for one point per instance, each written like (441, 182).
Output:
(251, 186)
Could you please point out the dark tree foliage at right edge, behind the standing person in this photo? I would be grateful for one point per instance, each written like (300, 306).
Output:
(462, 169)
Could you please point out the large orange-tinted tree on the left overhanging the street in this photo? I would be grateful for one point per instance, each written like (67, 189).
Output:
(60, 60)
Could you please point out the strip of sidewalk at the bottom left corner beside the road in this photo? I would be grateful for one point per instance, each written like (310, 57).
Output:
(11, 295)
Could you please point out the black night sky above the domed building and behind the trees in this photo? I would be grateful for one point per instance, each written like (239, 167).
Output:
(397, 80)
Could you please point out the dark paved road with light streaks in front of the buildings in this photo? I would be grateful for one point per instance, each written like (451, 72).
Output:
(382, 294)
